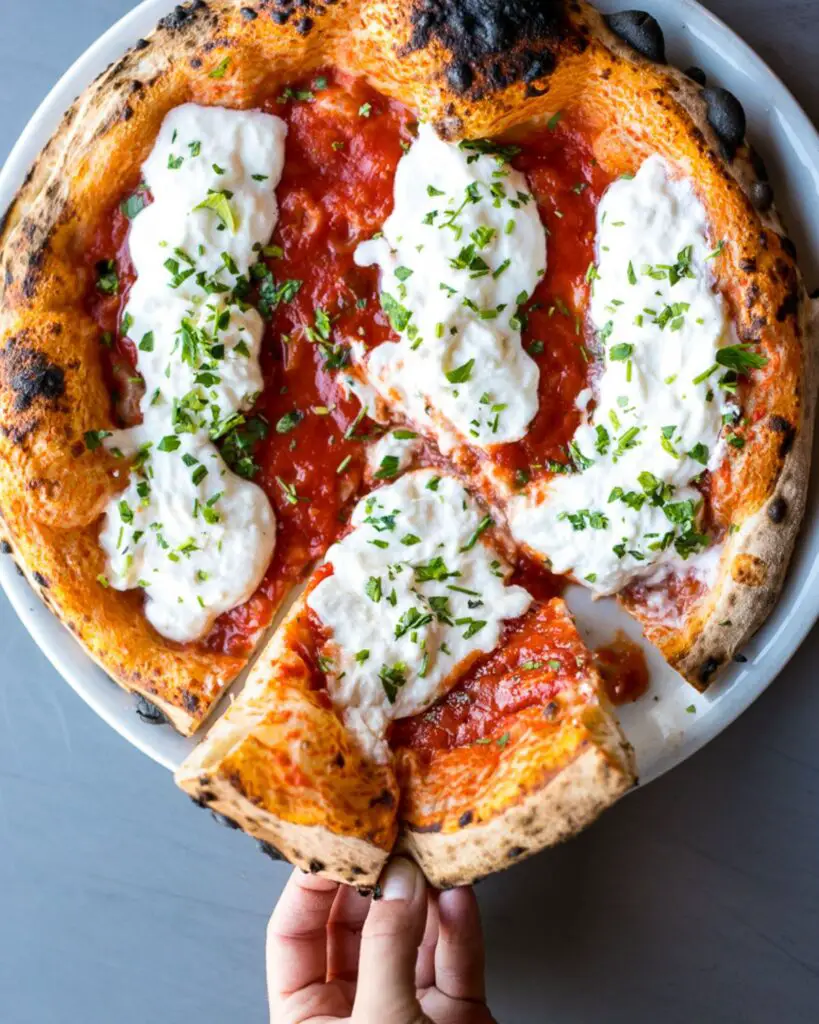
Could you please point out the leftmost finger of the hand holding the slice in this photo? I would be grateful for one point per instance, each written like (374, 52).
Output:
(297, 936)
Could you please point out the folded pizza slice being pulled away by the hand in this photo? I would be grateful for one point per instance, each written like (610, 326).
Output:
(411, 664)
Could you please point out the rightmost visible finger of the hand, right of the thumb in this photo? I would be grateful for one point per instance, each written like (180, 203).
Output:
(459, 956)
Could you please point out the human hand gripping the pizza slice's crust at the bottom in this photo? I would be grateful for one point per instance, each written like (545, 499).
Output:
(414, 957)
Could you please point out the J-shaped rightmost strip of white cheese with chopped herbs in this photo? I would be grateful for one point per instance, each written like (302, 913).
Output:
(659, 412)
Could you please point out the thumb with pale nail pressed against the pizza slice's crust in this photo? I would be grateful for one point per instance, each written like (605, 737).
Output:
(392, 935)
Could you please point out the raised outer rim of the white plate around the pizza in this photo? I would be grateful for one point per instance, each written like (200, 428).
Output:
(51, 635)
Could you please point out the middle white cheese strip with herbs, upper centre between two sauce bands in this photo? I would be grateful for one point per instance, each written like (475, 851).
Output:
(462, 250)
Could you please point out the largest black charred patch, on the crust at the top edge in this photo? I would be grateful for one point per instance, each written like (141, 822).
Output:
(475, 31)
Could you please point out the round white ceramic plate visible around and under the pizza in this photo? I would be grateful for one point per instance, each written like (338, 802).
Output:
(672, 721)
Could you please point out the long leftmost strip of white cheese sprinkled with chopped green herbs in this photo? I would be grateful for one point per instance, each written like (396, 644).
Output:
(197, 537)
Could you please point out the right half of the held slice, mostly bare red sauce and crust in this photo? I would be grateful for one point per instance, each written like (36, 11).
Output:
(522, 754)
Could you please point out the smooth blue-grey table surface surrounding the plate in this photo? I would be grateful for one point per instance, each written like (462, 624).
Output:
(696, 901)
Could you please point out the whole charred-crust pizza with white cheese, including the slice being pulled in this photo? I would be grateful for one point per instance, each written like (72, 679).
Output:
(390, 321)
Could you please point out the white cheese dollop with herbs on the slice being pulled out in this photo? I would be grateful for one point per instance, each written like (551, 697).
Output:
(415, 594)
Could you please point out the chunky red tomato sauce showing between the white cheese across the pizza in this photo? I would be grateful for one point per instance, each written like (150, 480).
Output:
(344, 143)
